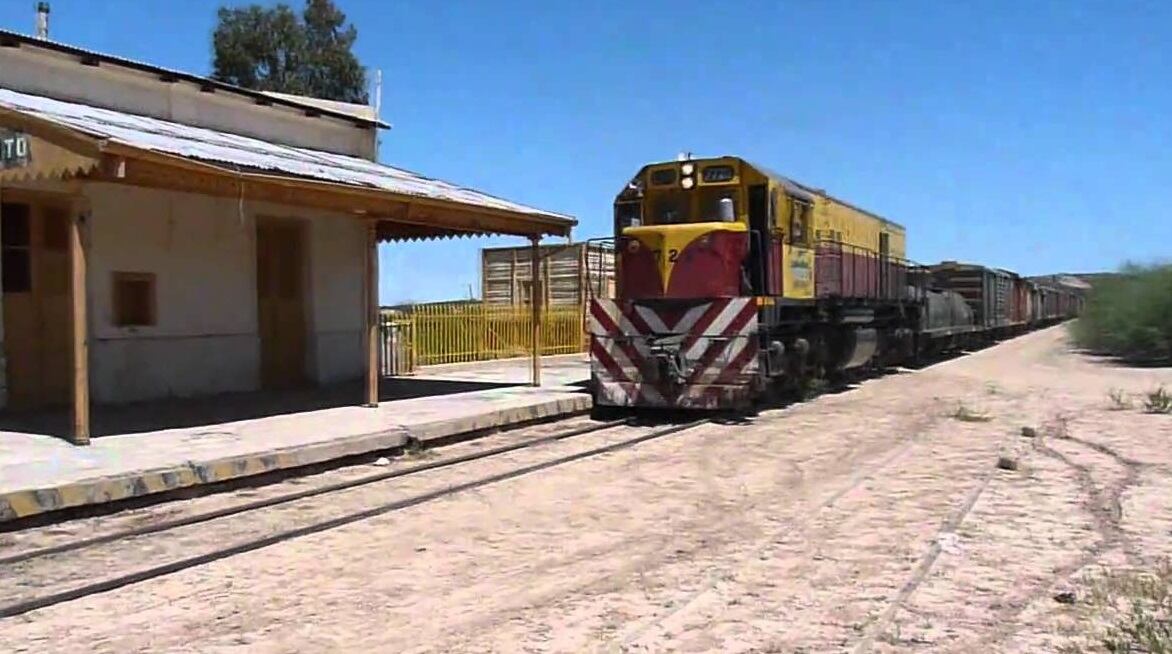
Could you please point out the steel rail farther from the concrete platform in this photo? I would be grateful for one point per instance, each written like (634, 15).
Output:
(107, 585)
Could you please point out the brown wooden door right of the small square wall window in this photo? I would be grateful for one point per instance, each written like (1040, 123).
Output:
(281, 302)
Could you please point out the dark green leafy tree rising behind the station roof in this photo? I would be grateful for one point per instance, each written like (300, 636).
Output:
(272, 49)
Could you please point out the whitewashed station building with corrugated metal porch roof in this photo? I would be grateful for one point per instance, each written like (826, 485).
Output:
(169, 236)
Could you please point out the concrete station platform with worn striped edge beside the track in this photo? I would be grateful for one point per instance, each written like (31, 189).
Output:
(153, 448)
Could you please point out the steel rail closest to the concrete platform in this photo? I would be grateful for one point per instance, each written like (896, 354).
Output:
(167, 526)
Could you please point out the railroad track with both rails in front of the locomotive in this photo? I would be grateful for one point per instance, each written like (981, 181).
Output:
(52, 555)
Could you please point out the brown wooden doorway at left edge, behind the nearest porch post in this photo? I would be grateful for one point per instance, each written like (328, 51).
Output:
(35, 253)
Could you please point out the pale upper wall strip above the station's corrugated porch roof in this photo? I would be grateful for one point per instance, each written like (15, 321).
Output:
(29, 70)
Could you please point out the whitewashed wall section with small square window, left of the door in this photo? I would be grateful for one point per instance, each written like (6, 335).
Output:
(202, 254)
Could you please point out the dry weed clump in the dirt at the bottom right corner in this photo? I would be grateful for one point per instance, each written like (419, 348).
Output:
(1135, 611)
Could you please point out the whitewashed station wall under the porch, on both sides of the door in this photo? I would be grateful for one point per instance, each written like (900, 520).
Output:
(202, 251)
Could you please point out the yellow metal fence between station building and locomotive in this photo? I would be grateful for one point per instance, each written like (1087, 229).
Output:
(458, 332)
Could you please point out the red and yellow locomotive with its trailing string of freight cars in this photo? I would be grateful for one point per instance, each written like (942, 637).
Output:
(734, 282)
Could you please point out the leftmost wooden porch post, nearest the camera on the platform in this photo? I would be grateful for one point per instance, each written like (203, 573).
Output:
(79, 322)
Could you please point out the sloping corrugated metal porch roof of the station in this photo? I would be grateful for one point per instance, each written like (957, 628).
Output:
(253, 154)
